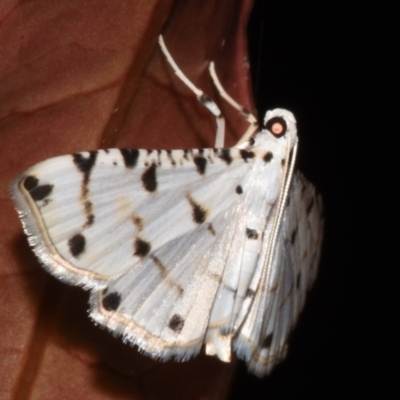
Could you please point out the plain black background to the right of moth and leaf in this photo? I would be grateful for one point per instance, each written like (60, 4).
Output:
(333, 65)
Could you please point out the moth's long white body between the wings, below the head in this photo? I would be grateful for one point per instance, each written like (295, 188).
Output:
(242, 275)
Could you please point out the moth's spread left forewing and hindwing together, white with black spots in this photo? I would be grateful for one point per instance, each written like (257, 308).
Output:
(154, 228)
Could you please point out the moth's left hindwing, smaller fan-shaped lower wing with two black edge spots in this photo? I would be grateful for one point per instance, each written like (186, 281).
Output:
(163, 304)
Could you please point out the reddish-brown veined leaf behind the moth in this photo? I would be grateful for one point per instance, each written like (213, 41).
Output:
(79, 75)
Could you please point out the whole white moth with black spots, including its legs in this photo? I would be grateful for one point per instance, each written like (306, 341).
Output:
(182, 248)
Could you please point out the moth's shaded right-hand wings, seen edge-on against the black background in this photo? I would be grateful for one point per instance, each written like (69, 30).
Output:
(262, 340)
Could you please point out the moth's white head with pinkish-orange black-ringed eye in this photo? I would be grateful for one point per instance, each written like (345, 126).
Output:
(281, 124)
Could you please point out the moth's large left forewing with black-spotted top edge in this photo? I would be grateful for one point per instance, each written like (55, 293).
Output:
(93, 216)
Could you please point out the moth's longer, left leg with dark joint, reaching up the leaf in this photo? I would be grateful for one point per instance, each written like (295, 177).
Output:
(201, 96)
